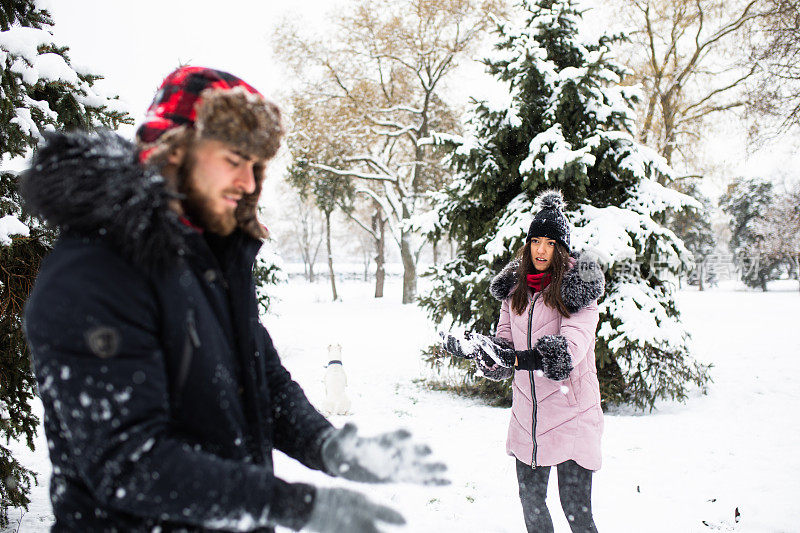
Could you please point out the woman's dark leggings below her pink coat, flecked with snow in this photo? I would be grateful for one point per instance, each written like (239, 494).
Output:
(574, 489)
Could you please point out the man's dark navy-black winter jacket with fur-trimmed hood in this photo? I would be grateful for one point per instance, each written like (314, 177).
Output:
(163, 394)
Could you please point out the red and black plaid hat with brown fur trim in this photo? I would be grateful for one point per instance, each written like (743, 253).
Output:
(180, 97)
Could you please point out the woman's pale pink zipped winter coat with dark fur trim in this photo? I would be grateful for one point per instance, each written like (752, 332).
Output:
(552, 422)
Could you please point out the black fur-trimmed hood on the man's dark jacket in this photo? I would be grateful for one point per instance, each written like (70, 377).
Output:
(92, 185)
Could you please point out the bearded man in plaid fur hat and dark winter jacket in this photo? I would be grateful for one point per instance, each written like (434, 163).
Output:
(163, 394)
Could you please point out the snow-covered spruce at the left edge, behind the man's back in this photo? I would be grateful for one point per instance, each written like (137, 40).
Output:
(39, 91)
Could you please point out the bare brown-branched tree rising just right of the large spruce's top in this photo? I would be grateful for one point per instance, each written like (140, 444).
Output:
(689, 57)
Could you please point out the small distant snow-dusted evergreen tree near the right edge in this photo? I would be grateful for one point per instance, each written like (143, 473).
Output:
(748, 202)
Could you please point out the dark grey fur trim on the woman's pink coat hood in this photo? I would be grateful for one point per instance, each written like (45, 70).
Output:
(582, 284)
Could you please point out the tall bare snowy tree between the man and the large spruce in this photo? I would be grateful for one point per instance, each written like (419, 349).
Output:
(381, 72)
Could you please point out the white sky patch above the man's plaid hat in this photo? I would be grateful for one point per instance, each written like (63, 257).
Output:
(134, 45)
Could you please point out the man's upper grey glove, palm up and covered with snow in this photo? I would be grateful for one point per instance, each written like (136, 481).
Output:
(380, 459)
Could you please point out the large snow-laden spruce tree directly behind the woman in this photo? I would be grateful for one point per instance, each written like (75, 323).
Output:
(567, 124)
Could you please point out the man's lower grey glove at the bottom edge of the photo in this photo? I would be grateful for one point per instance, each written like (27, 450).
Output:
(345, 511)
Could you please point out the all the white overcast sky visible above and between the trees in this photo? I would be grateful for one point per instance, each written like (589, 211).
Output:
(135, 44)
